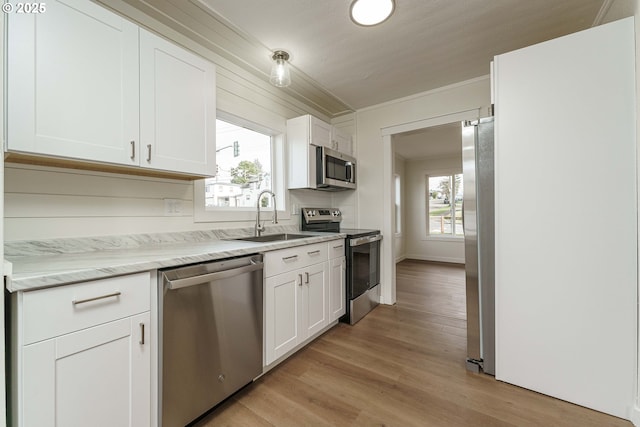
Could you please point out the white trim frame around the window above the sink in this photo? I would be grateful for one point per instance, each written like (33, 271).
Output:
(203, 213)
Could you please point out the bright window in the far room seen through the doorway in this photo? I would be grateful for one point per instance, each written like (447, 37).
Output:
(444, 200)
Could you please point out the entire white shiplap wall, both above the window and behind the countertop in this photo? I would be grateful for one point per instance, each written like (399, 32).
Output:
(42, 202)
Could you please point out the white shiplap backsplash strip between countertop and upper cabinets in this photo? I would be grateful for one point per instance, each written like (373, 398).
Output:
(43, 203)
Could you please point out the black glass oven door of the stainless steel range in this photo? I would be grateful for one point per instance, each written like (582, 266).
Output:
(363, 265)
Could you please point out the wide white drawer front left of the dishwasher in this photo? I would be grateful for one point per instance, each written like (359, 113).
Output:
(48, 313)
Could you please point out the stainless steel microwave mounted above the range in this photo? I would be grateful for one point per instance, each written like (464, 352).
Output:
(334, 170)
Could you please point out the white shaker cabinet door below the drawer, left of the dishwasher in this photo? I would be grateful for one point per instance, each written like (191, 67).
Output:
(98, 376)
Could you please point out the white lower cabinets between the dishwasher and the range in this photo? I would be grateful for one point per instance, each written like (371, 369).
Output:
(299, 288)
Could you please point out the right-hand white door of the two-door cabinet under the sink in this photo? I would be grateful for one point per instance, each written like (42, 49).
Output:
(313, 310)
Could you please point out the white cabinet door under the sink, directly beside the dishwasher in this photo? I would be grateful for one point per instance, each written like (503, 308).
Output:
(282, 331)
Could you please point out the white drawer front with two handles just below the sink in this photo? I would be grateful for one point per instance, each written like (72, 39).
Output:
(281, 261)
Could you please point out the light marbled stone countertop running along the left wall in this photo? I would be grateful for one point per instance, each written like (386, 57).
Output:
(56, 262)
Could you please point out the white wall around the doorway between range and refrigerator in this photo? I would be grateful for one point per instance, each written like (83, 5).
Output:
(375, 152)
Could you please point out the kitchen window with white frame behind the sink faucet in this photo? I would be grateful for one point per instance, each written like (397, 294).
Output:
(249, 160)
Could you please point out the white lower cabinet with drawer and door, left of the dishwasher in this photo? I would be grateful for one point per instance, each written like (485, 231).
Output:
(98, 375)
